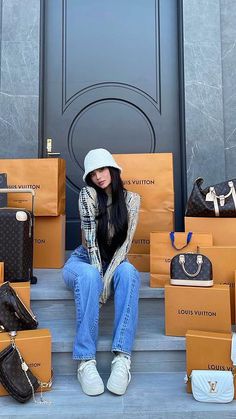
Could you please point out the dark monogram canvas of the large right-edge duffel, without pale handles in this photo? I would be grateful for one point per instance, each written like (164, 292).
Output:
(197, 206)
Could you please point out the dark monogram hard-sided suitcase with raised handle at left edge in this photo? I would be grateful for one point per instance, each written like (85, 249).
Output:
(16, 241)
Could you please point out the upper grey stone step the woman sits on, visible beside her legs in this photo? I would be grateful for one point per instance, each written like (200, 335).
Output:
(51, 286)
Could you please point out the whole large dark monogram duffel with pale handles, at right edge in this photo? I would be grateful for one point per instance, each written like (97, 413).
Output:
(214, 201)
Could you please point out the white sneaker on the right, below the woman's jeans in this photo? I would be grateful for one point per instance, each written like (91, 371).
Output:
(120, 375)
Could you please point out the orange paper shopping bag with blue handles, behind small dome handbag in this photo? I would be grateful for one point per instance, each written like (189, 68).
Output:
(162, 251)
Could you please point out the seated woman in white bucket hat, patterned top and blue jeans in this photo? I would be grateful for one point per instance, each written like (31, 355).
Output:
(99, 267)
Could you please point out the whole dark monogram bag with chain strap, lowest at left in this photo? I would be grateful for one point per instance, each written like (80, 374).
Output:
(16, 377)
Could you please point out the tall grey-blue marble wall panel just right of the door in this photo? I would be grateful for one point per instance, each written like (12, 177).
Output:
(203, 91)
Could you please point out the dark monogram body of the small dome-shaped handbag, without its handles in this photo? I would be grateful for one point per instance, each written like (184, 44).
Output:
(191, 266)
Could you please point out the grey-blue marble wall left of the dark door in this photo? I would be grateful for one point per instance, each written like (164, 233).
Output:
(19, 78)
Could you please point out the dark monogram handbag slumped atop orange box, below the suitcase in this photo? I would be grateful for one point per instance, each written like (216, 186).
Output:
(14, 315)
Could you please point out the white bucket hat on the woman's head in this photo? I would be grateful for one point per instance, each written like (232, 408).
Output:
(100, 157)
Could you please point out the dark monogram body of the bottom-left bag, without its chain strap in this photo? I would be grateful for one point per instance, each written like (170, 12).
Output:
(12, 376)
